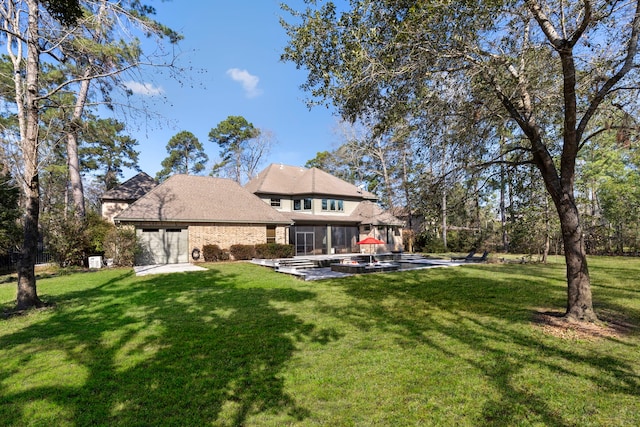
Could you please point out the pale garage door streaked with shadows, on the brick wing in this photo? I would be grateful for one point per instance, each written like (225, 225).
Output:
(163, 245)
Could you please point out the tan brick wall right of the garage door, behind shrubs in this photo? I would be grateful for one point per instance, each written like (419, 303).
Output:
(226, 235)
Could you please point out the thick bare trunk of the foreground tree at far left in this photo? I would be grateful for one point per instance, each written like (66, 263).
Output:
(27, 295)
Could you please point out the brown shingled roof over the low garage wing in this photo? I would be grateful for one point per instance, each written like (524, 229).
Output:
(189, 198)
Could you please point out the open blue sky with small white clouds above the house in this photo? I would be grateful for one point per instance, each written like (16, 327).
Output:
(232, 51)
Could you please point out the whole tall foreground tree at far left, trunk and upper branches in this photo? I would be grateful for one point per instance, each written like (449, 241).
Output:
(31, 29)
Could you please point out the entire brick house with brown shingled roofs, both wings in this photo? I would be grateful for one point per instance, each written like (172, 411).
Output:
(309, 208)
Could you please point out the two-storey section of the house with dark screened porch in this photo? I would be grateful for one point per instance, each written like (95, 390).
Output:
(329, 215)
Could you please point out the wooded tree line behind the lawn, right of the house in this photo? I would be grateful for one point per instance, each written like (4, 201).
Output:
(450, 203)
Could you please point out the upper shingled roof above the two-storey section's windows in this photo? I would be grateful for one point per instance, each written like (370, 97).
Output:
(278, 179)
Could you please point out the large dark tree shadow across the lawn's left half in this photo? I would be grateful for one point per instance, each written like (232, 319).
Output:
(179, 349)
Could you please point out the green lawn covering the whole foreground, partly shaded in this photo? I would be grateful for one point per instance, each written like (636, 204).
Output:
(241, 345)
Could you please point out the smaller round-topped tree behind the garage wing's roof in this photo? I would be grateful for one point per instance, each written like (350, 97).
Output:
(186, 155)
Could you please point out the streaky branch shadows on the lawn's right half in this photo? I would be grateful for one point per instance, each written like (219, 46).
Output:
(487, 318)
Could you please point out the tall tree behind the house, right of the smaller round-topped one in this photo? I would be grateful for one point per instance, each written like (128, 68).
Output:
(233, 136)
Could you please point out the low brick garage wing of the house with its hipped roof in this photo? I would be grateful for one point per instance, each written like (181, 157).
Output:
(186, 212)
